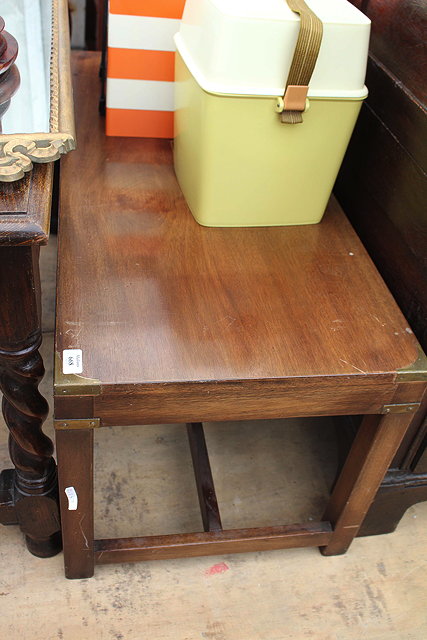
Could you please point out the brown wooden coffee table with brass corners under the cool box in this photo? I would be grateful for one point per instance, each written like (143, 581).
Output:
(180, 323)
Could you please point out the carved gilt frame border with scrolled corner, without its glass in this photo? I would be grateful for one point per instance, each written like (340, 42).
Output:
(19, 151)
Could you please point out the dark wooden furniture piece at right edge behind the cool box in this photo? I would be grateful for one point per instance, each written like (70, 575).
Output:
(382, 187)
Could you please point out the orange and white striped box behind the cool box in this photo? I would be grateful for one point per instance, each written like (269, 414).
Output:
(140, 69)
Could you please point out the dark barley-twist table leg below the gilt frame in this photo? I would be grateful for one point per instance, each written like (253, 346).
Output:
(28, 493)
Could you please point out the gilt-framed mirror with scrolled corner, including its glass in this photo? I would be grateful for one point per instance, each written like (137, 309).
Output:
(36, 105)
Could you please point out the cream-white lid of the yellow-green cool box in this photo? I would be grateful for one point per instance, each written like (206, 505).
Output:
(245, 47)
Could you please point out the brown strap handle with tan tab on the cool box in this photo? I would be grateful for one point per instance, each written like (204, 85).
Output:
(293, 103)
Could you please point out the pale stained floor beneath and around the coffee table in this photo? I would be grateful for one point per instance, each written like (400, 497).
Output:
(266, 473)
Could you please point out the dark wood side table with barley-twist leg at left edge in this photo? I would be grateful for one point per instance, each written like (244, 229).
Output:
(28, 493)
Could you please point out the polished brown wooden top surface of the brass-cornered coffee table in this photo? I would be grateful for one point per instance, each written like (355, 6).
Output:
(169, 300)
